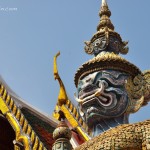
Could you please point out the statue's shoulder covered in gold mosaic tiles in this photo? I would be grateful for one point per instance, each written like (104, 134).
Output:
(123, 137)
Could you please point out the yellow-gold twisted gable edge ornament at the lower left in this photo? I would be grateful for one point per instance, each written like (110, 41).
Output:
(26, 138)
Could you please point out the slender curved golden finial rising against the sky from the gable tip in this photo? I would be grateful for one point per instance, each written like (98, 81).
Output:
(62, 97)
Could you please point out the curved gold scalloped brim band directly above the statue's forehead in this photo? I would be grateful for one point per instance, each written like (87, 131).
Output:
(106, 61)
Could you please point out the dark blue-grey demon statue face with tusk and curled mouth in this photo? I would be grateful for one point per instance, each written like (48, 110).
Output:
(102, 95)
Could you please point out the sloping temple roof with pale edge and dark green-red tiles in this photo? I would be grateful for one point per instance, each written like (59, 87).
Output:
(41, 123)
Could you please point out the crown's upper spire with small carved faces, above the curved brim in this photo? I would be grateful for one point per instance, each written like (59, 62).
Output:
(105, 39)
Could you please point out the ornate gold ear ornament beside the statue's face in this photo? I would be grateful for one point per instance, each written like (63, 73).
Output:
(138, 90)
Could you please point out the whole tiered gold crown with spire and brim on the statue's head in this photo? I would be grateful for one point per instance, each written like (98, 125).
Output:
(106, 44)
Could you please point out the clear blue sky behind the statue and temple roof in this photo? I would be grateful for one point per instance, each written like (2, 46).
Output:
(36, 30)
